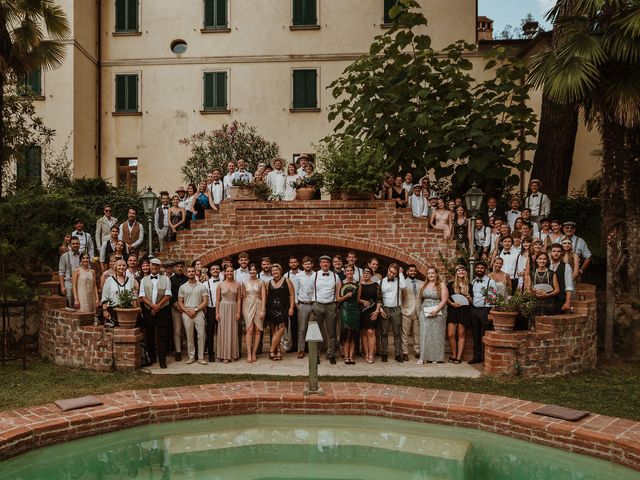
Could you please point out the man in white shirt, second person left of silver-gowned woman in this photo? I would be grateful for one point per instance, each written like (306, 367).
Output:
(391, 287)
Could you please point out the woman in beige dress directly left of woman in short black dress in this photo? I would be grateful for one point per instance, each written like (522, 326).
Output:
(252, 302)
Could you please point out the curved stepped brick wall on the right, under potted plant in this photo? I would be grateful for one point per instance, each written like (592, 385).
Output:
(560, 344)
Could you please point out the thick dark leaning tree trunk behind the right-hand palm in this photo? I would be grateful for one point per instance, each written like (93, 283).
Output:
(556, 141)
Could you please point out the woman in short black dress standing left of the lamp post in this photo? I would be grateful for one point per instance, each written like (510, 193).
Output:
(278, 308)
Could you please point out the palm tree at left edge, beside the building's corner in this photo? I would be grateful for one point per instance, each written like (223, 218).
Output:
(31, 34)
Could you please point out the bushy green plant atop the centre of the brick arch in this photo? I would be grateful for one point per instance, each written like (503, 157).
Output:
(352, 167)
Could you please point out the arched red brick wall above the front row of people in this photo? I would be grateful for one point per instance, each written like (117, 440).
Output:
(376, 227)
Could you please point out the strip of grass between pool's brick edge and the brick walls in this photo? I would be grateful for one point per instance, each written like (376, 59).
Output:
(612, 389)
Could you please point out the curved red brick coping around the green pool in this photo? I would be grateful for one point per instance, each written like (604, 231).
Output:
(609, 438)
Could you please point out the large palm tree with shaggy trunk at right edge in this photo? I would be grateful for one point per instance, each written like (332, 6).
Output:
(597, 65)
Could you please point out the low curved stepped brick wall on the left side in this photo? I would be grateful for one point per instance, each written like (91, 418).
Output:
(69, 338)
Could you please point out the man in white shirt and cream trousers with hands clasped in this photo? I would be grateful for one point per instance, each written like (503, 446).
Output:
(192, 301)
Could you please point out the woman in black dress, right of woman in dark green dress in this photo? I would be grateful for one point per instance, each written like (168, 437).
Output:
(370, 301)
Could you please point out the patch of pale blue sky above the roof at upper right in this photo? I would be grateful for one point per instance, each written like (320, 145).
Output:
(510, 12)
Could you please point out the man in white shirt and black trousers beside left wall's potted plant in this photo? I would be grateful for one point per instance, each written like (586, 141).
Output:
(155, 297)
